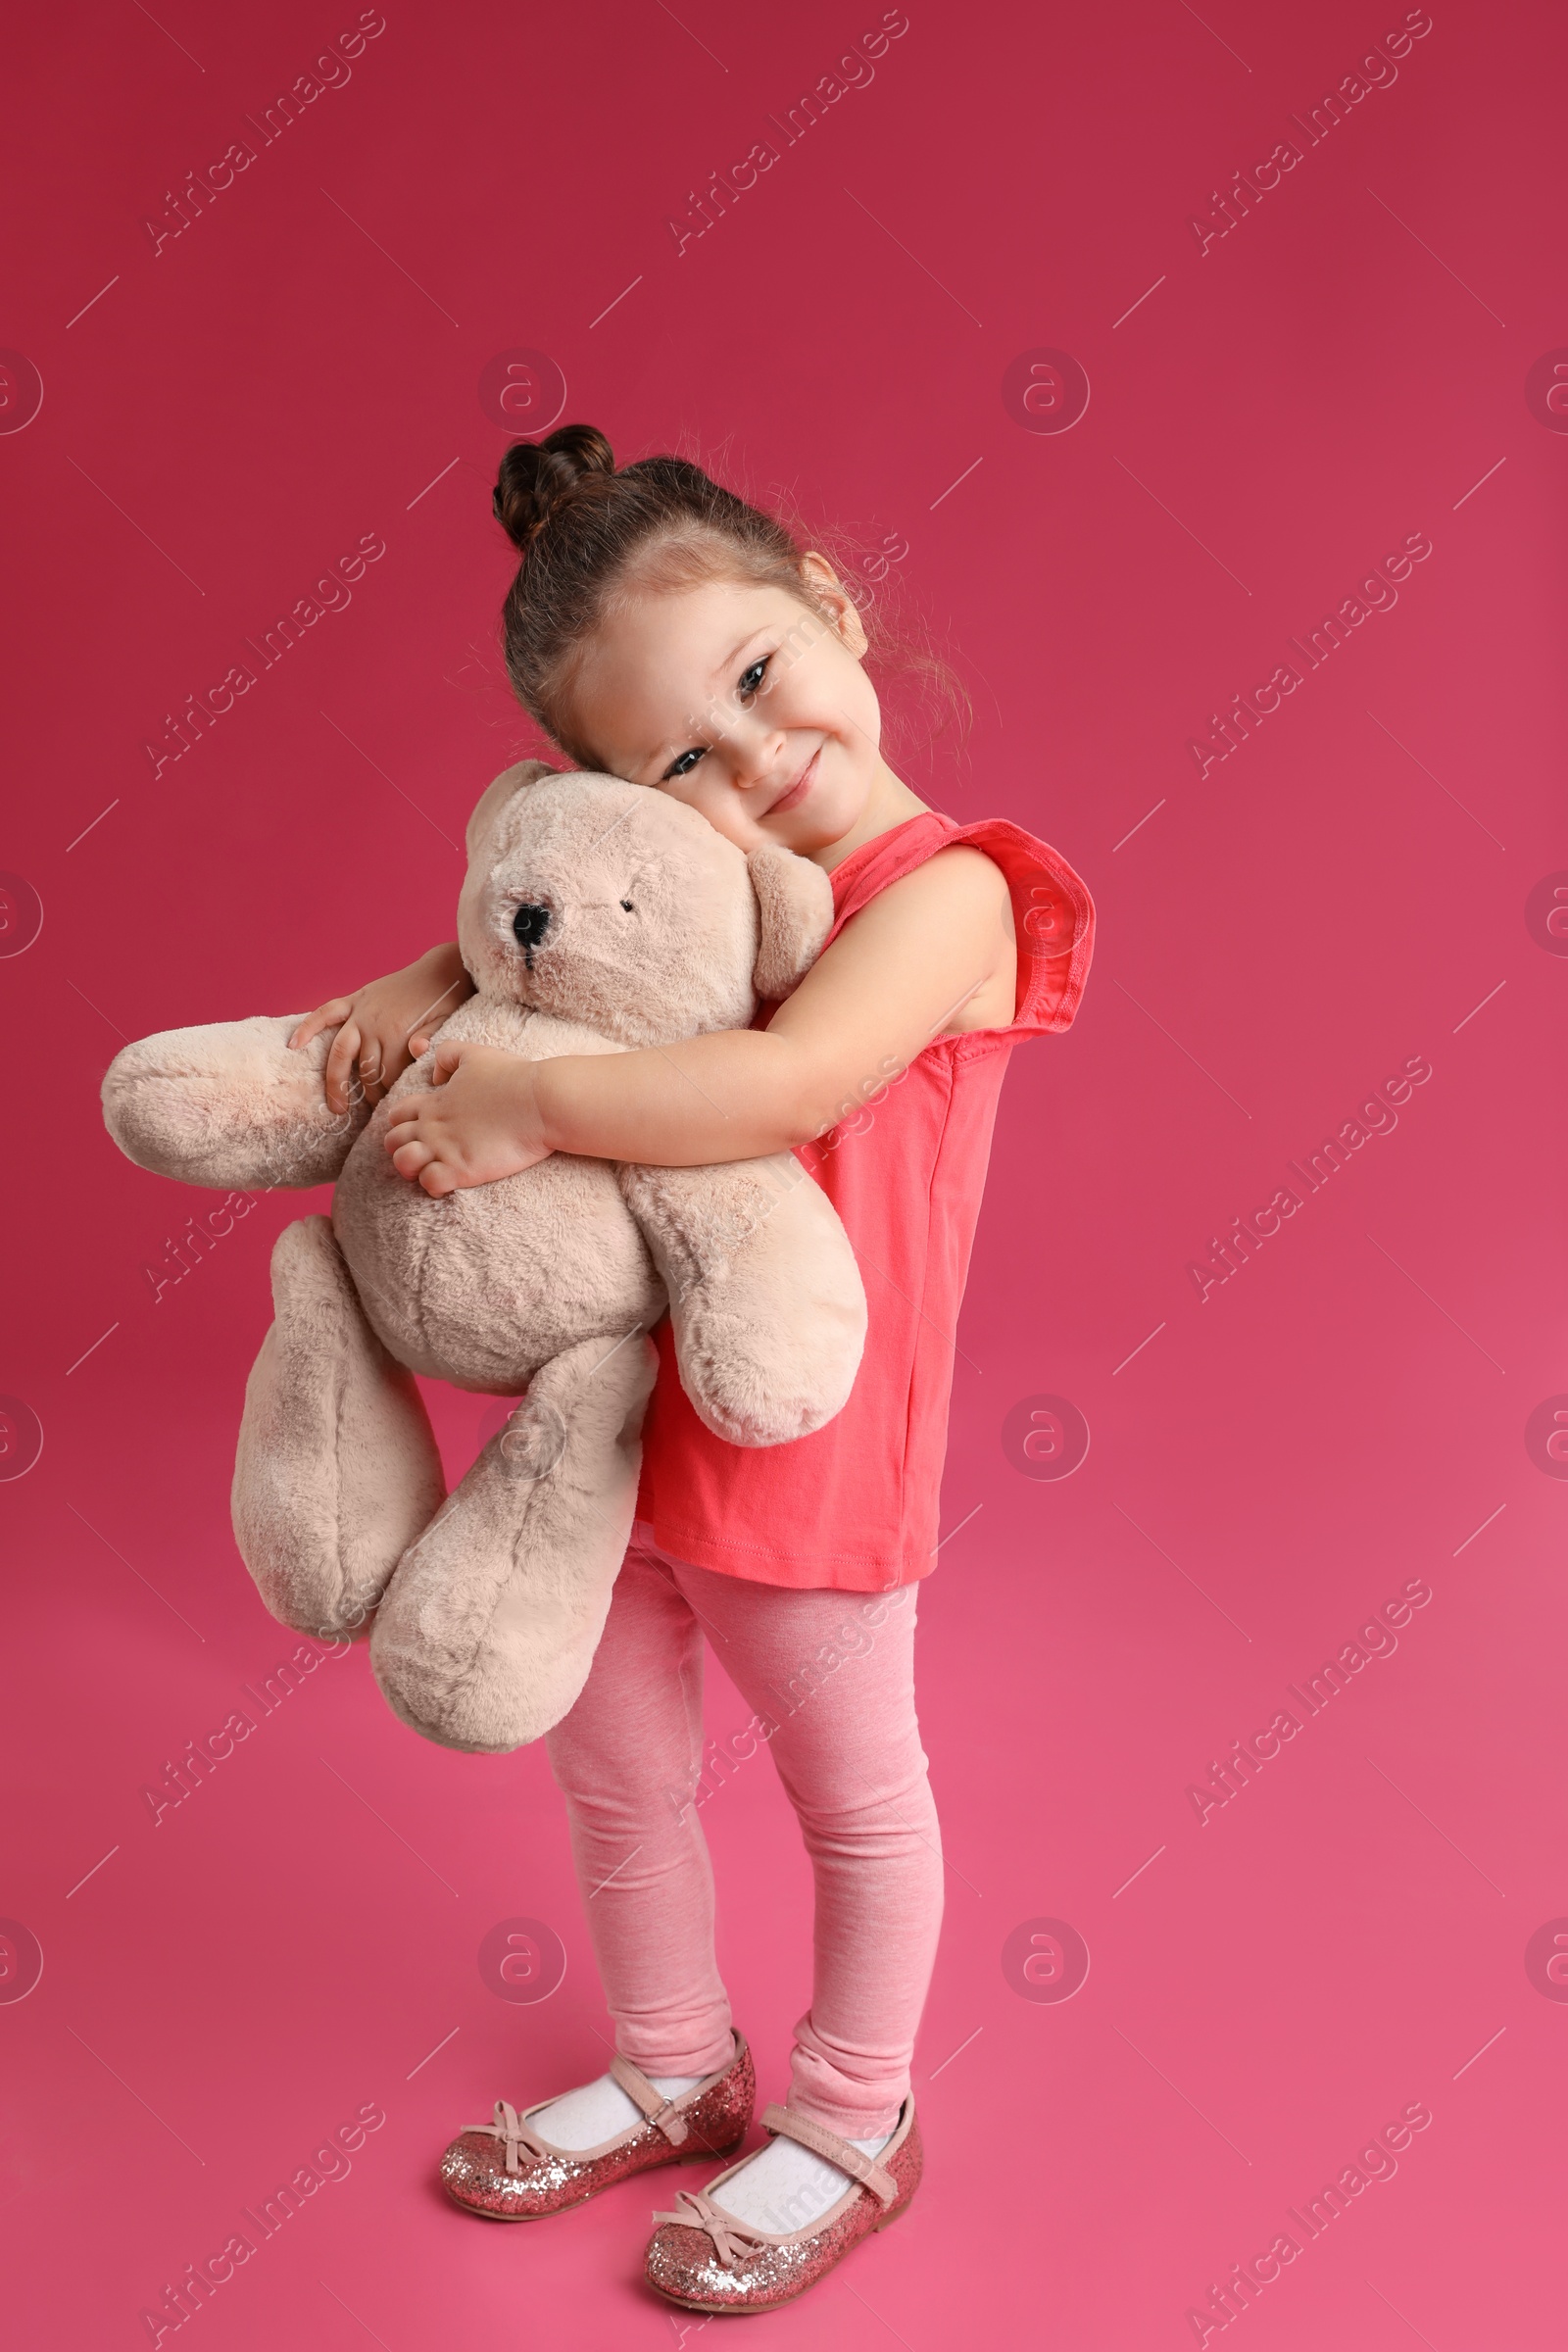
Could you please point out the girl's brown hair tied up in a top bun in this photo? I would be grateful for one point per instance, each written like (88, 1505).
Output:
(591, 535)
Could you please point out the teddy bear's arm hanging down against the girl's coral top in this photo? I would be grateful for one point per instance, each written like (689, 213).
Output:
(765, 1292)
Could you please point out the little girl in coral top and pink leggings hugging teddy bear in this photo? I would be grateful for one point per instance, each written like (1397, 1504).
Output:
(666, 632)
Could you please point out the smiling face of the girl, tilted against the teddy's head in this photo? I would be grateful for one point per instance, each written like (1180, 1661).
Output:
(744, 704)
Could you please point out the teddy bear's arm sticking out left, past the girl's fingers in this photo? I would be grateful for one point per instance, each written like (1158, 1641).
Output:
(229, 1107)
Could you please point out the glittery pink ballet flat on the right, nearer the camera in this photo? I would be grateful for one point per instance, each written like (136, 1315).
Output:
(706, 2261)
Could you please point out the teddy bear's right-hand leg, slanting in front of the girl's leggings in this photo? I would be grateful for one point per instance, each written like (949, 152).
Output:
(492, 1619)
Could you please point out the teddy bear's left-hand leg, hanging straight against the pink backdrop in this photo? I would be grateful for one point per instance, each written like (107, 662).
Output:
(337, 1466)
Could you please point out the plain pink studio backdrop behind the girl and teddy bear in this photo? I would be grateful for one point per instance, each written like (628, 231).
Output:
(300, 368)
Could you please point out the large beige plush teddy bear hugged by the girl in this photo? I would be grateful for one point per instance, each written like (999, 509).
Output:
(596, 918)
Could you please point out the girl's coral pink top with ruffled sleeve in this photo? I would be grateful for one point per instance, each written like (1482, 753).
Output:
(855, 1506)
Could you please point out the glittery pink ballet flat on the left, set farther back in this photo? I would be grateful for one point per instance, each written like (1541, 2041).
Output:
(511, 2172)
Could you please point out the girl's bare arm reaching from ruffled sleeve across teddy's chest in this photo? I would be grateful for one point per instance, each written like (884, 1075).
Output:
(932, 954)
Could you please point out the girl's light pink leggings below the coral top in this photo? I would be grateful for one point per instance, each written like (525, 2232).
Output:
(831, 1678)
